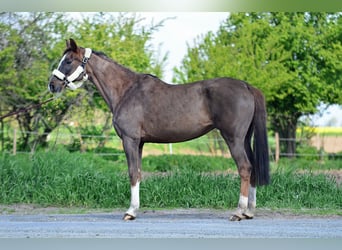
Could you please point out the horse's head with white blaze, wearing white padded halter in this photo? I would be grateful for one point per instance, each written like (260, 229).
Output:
(71, 69)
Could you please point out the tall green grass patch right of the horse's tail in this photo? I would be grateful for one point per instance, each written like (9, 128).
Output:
(290, 189)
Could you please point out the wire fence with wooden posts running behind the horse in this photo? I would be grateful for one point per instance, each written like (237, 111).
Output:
(316, 146)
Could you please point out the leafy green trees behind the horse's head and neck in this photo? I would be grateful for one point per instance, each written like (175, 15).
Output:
(31, 46)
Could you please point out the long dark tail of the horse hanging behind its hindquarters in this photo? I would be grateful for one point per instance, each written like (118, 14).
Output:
(260, 162)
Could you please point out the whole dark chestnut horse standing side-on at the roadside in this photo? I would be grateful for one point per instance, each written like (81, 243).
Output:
(146, 109)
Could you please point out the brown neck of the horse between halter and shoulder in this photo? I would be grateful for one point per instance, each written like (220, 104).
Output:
(111, 79)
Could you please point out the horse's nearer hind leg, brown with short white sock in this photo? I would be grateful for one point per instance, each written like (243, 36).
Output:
(237, 149)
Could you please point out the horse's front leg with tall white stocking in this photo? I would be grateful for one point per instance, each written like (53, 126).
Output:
(133, 151)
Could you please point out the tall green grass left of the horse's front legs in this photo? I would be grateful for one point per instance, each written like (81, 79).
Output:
(63, 179)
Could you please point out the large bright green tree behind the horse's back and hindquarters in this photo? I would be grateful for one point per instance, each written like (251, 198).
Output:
(294, 58)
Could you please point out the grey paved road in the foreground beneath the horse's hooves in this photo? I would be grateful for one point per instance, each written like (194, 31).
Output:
(167, 224)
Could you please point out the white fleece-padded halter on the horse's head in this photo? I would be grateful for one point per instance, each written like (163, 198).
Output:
(69, 81)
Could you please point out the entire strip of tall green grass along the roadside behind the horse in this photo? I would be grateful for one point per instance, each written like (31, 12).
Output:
(65, 179)
